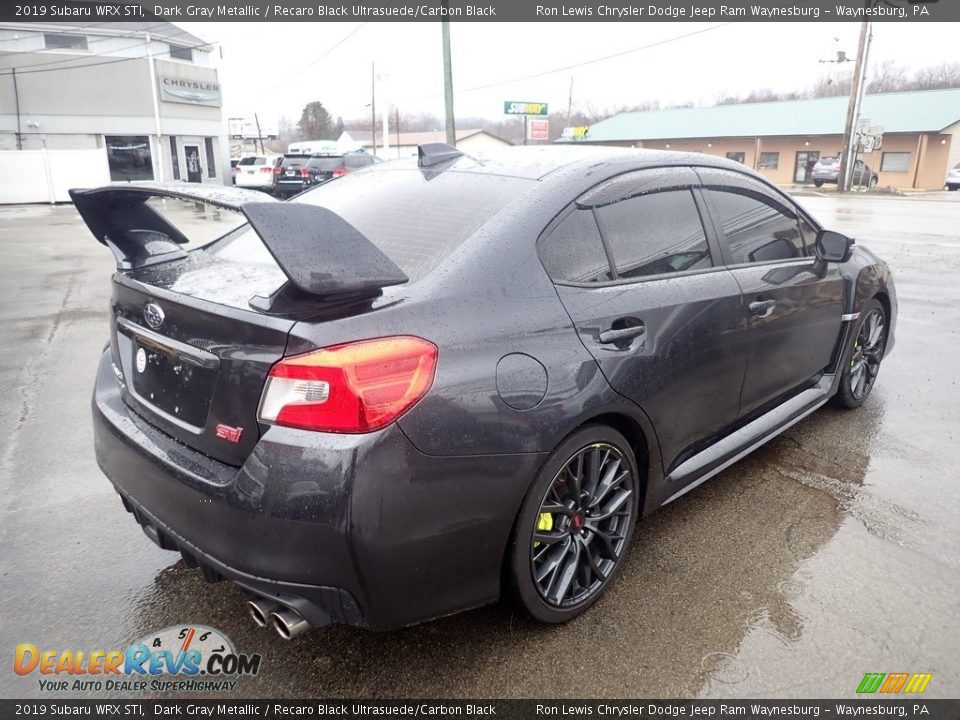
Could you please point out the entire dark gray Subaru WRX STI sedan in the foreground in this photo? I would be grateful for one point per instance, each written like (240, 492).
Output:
(426, 385)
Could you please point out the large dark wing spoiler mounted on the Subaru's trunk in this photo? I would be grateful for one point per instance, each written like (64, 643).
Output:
(320, 253)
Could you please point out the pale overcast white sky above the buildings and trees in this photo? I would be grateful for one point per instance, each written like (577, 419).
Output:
(274, 69)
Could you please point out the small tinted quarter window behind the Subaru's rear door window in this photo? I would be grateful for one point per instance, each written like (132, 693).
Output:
(573, 251)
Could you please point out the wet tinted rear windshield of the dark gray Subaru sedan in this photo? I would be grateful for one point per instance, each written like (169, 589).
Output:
(416, 222)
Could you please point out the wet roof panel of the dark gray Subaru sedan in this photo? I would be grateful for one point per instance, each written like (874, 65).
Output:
(539, 162)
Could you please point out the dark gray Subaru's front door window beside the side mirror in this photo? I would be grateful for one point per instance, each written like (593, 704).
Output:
(755, 230)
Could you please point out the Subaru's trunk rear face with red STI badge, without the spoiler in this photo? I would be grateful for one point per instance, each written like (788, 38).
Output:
(193, 367)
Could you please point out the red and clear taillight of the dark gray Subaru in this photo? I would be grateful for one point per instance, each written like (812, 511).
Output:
(352, 388)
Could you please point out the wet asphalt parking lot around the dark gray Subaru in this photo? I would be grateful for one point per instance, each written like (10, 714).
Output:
(831, 552)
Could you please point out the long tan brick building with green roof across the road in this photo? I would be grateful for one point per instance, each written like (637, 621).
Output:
(783, 140)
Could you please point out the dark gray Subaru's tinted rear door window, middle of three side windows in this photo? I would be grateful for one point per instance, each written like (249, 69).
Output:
(655, 234)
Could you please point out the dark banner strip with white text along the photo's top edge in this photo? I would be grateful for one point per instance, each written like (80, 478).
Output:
(487, 10)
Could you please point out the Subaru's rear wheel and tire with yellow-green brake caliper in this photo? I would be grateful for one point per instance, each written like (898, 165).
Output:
(559, 577)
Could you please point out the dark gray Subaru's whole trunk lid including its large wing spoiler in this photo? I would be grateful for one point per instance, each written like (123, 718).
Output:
(195, 335)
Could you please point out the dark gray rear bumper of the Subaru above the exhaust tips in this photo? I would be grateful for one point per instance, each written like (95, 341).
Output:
(356, 529)
